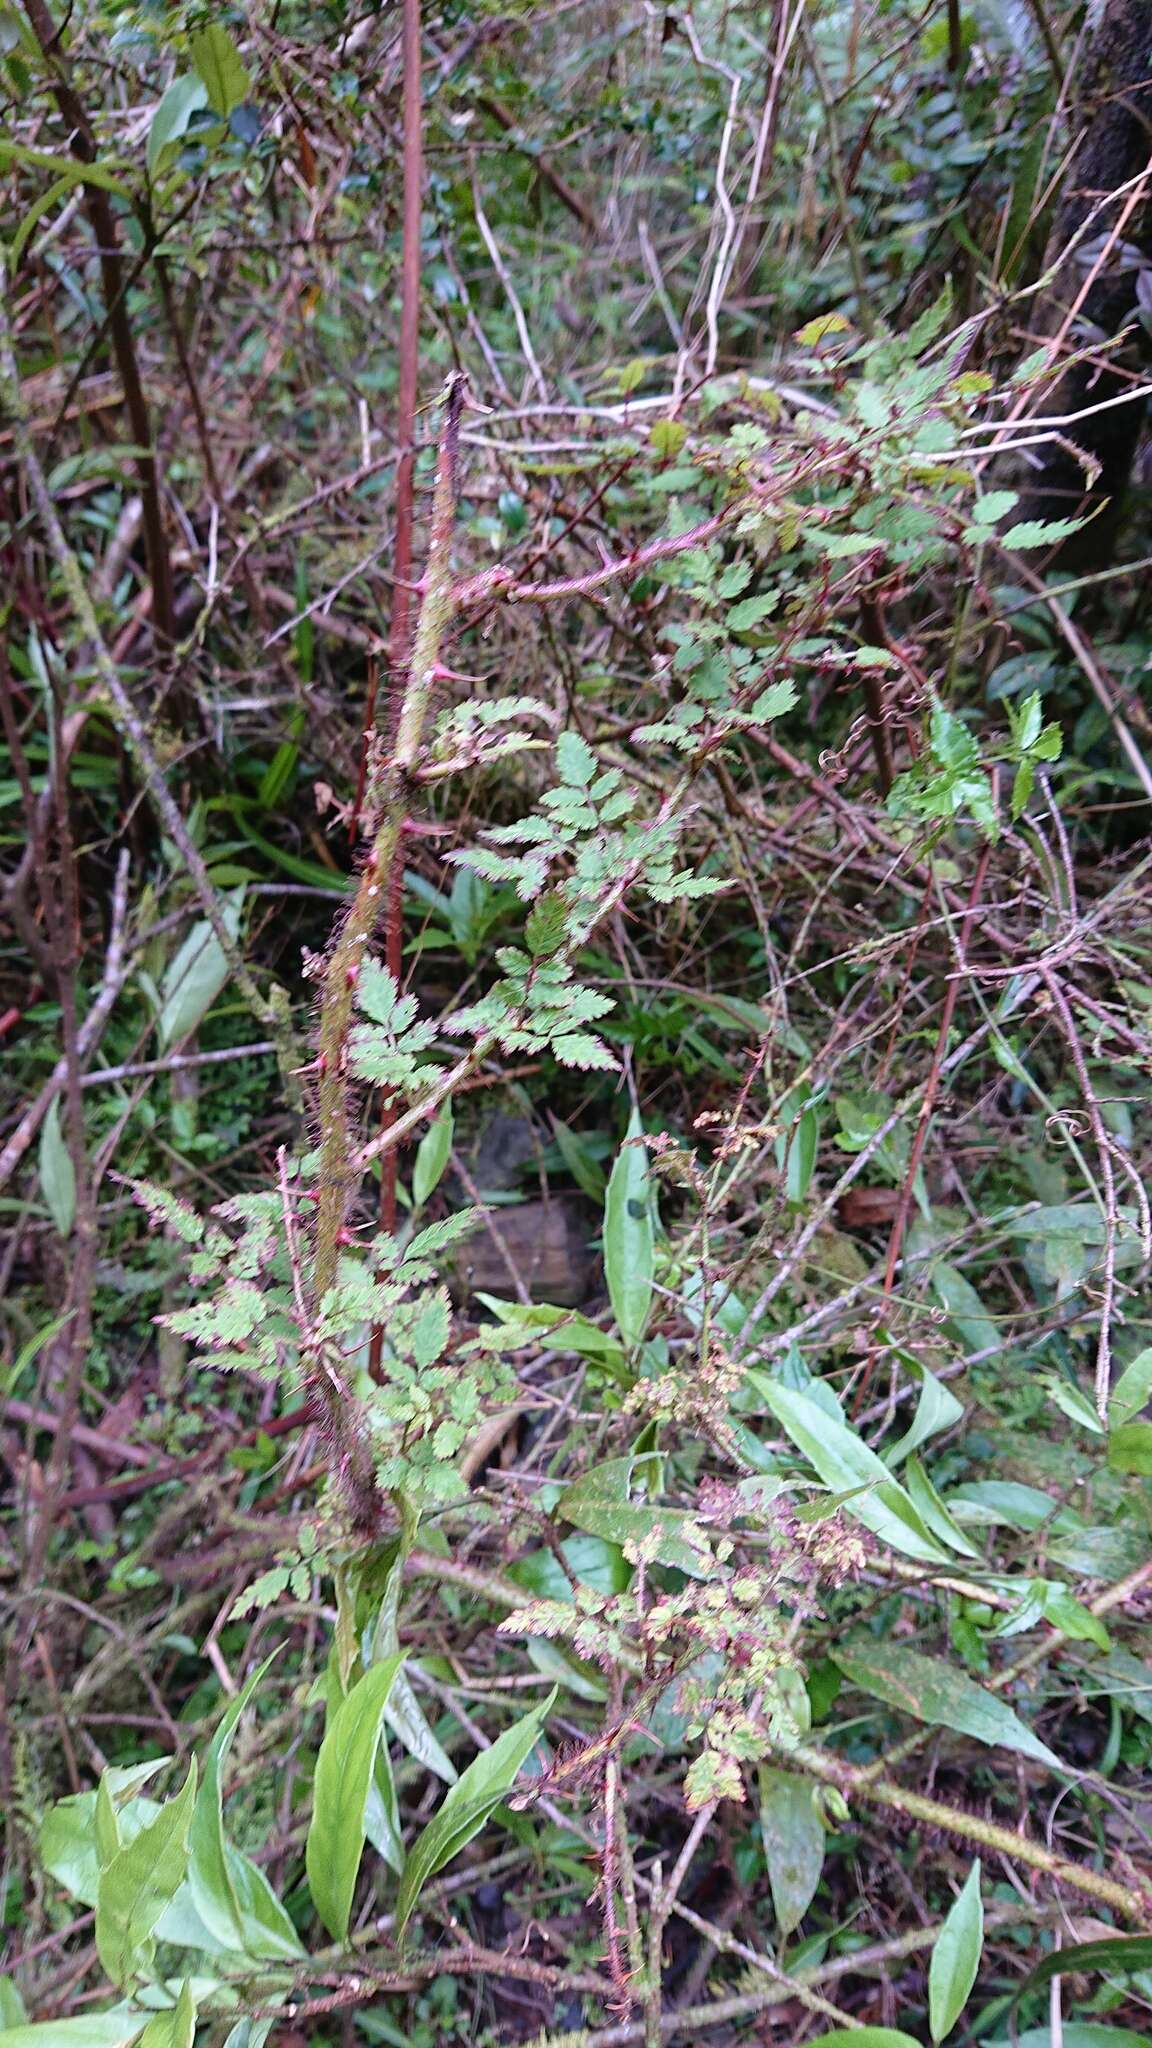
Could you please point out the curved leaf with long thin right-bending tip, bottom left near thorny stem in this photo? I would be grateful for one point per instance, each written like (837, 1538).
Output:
(229, 1891)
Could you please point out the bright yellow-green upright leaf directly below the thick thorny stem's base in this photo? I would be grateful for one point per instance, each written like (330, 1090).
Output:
(345, 1773)
